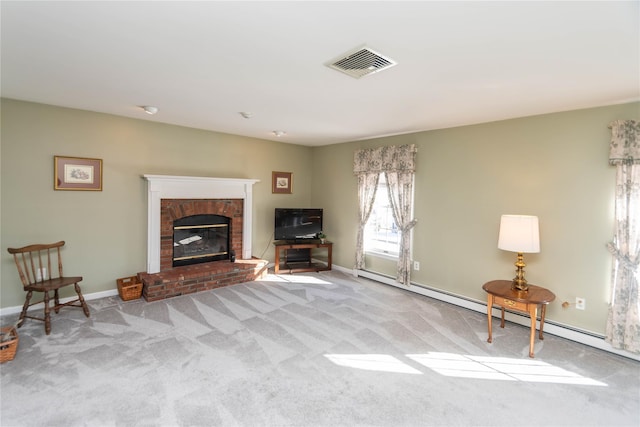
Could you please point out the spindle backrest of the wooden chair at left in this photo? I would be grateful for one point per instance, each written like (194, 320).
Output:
(34, 262)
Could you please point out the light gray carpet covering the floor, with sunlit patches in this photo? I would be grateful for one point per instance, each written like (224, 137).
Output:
(305, 350)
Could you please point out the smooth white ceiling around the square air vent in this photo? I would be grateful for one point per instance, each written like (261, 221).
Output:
(201, 63)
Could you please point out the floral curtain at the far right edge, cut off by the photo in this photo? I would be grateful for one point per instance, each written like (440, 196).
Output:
(623, 322)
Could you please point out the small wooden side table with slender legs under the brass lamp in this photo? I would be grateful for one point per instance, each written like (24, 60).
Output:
(499, 293)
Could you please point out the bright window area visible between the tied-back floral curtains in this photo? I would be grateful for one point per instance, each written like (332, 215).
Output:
(381, 232)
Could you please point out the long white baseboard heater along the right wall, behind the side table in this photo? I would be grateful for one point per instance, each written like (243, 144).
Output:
(565, 331)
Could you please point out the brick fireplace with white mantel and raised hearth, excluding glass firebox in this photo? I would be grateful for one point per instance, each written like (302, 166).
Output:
(173, 197)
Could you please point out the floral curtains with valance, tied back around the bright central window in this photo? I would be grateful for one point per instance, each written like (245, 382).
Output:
(398, 163)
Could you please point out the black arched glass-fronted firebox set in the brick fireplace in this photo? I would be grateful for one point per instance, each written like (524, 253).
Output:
(200, 238)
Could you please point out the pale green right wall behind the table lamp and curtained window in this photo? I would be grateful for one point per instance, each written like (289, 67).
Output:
(553, 166)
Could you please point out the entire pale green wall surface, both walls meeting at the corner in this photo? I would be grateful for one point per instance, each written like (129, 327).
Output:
(554, 166)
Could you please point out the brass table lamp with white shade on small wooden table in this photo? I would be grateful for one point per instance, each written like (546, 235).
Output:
(519, 233)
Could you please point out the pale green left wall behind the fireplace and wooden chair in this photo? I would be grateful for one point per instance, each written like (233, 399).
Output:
(106, 231)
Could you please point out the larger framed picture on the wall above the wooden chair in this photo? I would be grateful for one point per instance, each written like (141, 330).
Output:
(77, 173)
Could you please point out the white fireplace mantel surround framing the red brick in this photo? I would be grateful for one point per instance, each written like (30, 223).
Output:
(189, 187)
